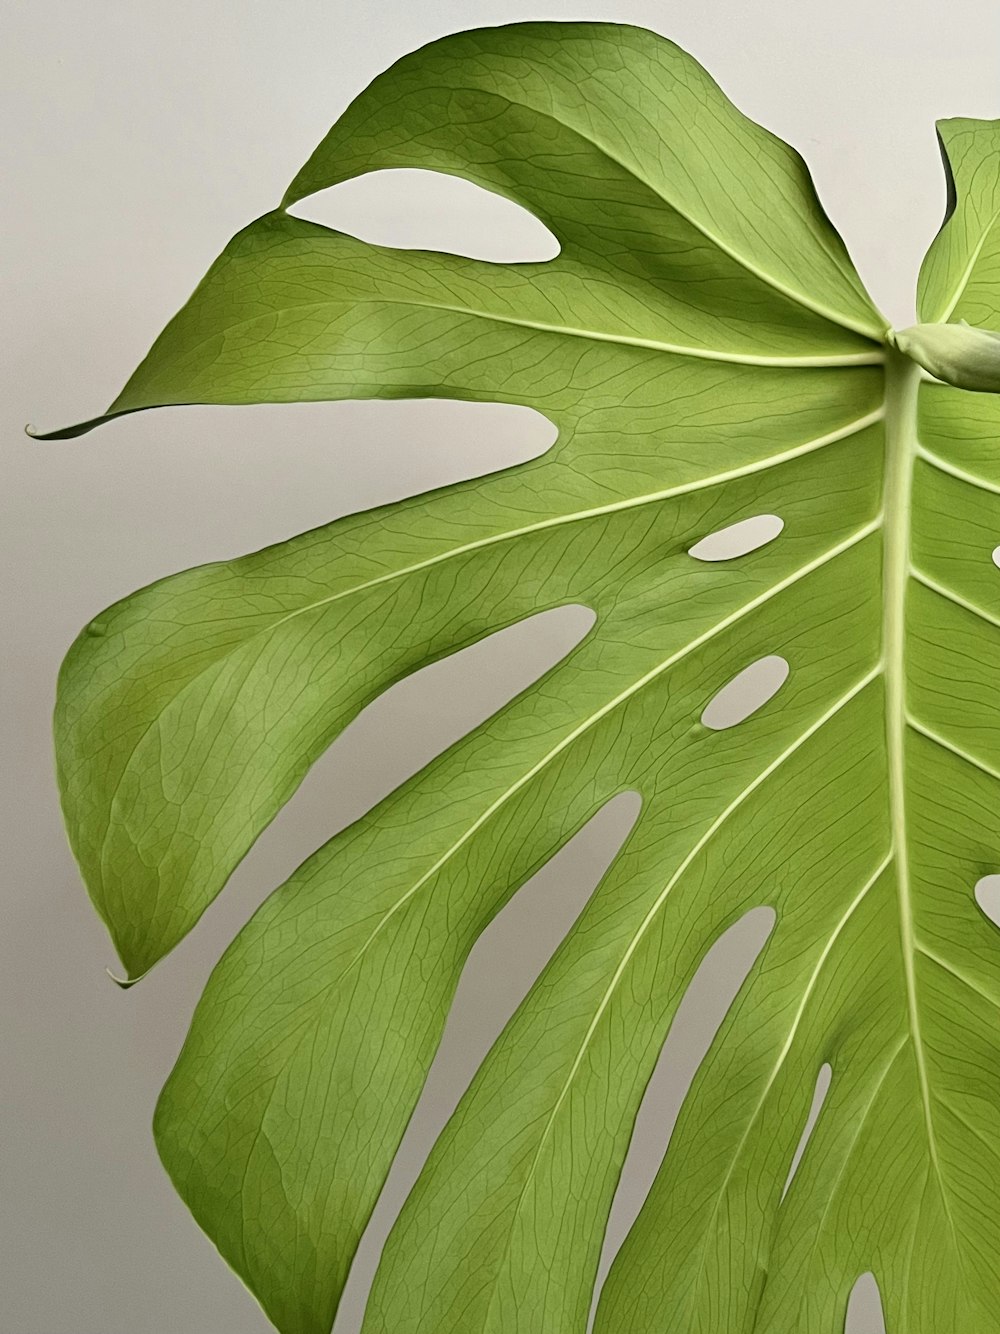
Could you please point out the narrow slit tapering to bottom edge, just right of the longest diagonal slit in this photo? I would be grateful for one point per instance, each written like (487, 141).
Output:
(699, 1017)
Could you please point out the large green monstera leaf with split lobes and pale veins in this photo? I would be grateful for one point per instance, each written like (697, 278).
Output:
(707, 354)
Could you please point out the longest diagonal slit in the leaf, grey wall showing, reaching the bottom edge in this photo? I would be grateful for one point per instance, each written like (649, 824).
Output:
(499, 973)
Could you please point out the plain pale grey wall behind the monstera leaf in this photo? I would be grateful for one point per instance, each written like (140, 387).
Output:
(138, 138)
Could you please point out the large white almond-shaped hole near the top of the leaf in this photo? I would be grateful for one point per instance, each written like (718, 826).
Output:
(407, 209)
